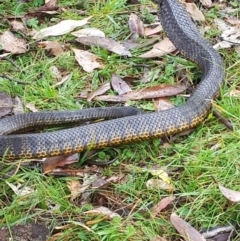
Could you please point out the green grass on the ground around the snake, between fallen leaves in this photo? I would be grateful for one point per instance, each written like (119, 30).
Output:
(191, 161)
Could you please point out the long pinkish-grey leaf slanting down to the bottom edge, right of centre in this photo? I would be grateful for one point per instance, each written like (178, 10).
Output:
(185, 229)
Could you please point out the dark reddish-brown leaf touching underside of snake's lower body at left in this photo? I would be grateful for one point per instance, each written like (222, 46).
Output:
(51, 163)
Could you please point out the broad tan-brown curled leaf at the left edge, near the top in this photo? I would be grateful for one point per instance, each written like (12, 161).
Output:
(12, 44)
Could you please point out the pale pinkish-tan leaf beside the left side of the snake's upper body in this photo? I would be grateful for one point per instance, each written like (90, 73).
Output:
(160, 49)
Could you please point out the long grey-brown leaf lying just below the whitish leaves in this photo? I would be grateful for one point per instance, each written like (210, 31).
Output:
(105, 43)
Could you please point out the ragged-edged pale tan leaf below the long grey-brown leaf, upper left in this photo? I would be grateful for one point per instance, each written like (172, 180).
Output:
(87, 60)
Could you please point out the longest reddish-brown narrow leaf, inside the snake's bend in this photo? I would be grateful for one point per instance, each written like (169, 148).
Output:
(146, 93)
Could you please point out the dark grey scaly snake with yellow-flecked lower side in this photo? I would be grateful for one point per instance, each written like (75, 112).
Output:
(184, 34)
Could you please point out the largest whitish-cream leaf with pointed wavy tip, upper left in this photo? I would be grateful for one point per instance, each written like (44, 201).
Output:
(61, 28)
